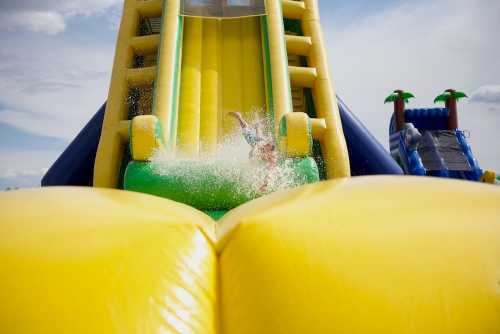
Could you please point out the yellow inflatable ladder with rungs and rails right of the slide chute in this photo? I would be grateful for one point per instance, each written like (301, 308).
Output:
(328, 127)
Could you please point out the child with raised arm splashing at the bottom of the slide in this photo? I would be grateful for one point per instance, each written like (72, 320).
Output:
(262, 148)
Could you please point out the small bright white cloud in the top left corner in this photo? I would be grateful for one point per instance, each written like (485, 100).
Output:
(47, 22)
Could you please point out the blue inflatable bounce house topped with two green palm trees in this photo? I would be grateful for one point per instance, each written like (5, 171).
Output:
(428, 141)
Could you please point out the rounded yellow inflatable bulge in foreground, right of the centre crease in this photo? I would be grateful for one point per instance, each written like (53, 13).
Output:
(371, 255)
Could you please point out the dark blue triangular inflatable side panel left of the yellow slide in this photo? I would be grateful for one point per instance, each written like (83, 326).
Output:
(75, 166)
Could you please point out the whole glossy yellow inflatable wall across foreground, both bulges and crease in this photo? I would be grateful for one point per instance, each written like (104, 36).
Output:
(364, 255)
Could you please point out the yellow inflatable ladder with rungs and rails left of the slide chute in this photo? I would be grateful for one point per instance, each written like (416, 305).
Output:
(125, 76)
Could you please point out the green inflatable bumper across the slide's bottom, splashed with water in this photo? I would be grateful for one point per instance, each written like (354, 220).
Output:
(216, 185)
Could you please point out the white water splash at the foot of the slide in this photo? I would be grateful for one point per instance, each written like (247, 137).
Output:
(231, 170)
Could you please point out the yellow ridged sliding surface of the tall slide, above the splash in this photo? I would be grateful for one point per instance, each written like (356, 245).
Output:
(222, 71)
